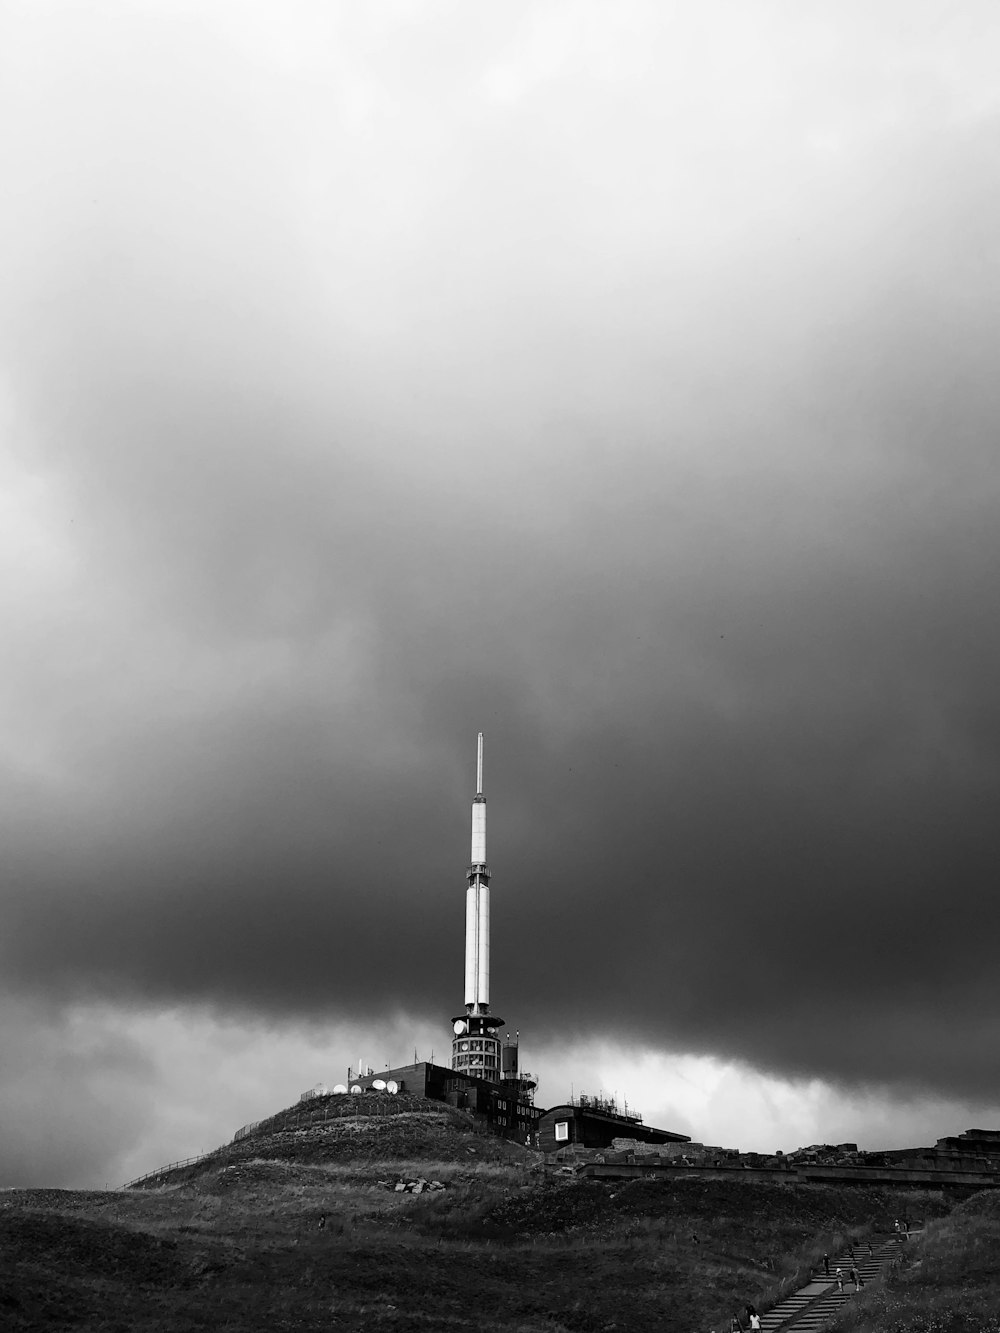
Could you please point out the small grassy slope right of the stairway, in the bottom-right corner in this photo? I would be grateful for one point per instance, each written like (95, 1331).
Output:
(949, 1282)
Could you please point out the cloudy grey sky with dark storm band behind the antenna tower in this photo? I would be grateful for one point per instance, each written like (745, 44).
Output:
(614, 379)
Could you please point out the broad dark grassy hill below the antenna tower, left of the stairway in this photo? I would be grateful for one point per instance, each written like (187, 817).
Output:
(234, 1242)
